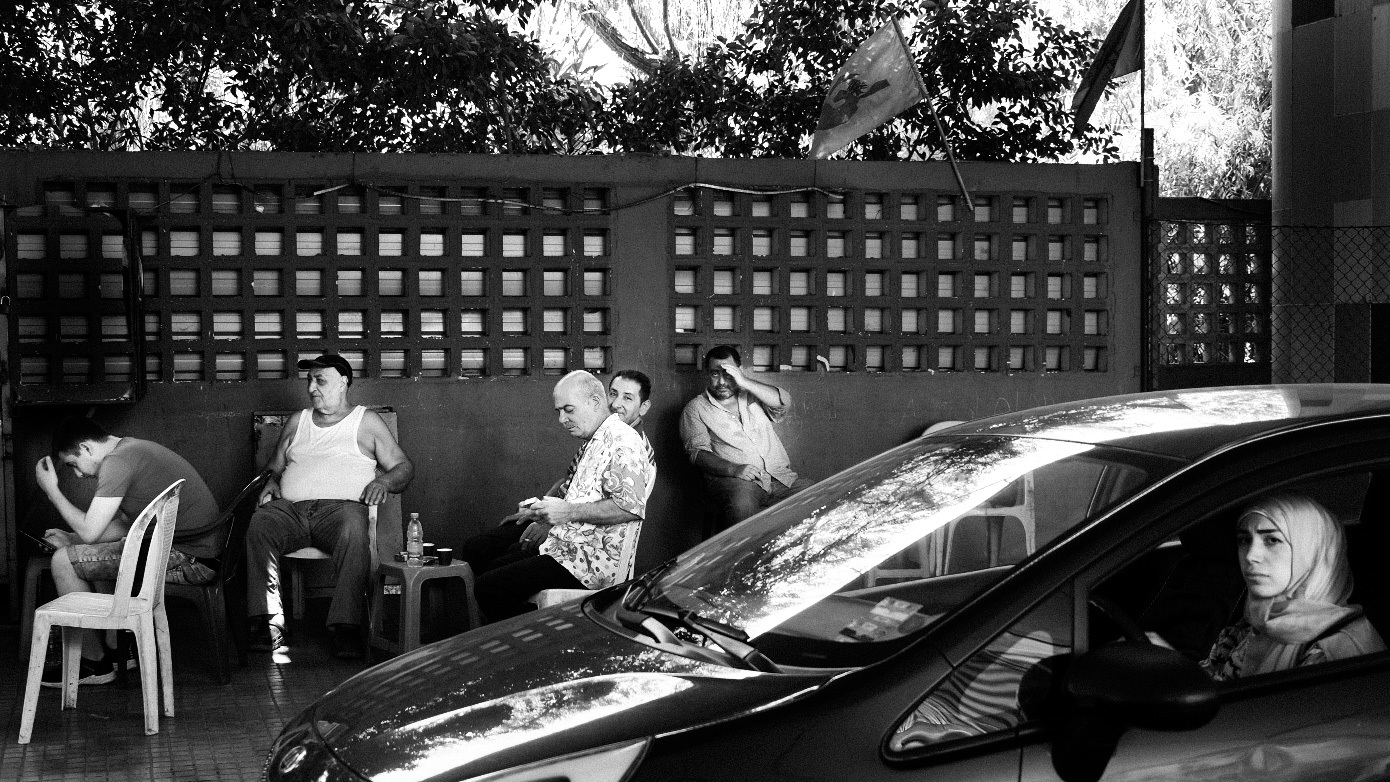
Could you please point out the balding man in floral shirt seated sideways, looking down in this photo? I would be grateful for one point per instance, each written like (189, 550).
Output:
(587, 538)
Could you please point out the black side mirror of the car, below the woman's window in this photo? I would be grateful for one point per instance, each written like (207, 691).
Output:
(1125, 685)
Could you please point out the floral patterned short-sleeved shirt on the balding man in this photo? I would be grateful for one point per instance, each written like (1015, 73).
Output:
(612, 466)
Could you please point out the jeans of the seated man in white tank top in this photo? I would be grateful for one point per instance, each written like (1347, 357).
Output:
(338, 527)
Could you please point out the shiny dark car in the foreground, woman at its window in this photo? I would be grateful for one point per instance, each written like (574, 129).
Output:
(1021, 598)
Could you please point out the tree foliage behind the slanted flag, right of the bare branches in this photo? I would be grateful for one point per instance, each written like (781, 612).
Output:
(1000, 74)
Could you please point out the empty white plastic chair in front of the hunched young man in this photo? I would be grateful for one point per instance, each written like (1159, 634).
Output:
(130, 609)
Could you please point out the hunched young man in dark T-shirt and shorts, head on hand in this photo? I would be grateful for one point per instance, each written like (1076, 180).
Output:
(130, 473)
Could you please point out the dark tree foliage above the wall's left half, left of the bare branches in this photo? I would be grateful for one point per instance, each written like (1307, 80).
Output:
(416, 76)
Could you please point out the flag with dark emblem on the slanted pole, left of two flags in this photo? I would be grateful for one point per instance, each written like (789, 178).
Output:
(879, 81)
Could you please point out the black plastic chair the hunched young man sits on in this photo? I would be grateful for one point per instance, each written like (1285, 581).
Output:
(212, 598)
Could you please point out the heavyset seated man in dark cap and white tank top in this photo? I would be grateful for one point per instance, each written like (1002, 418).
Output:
(332, 462)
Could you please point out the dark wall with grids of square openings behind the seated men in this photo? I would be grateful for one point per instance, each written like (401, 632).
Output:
(462, 285)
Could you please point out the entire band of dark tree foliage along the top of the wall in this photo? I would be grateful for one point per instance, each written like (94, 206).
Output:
(454, 76)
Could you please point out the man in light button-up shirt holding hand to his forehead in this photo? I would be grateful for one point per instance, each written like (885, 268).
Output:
(729, 437)
